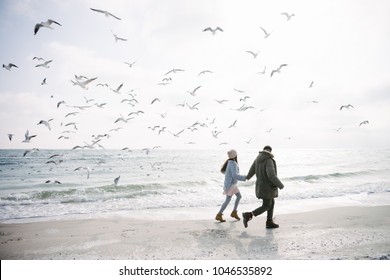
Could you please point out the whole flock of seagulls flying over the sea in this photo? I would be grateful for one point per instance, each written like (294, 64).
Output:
(130, 98)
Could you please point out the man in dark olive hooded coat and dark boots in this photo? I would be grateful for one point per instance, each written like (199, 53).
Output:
(267, 185)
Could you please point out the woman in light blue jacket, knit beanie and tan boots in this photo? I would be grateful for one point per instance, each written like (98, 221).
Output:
(232, 176)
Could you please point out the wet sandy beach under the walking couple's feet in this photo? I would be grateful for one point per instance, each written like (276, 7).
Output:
(347, 233)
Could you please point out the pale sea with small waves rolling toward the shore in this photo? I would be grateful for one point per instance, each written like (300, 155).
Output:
(43, 185)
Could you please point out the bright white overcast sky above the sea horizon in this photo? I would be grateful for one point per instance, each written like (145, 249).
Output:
(341, 48)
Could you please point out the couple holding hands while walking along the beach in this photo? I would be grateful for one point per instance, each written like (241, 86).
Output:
(267, 185)
